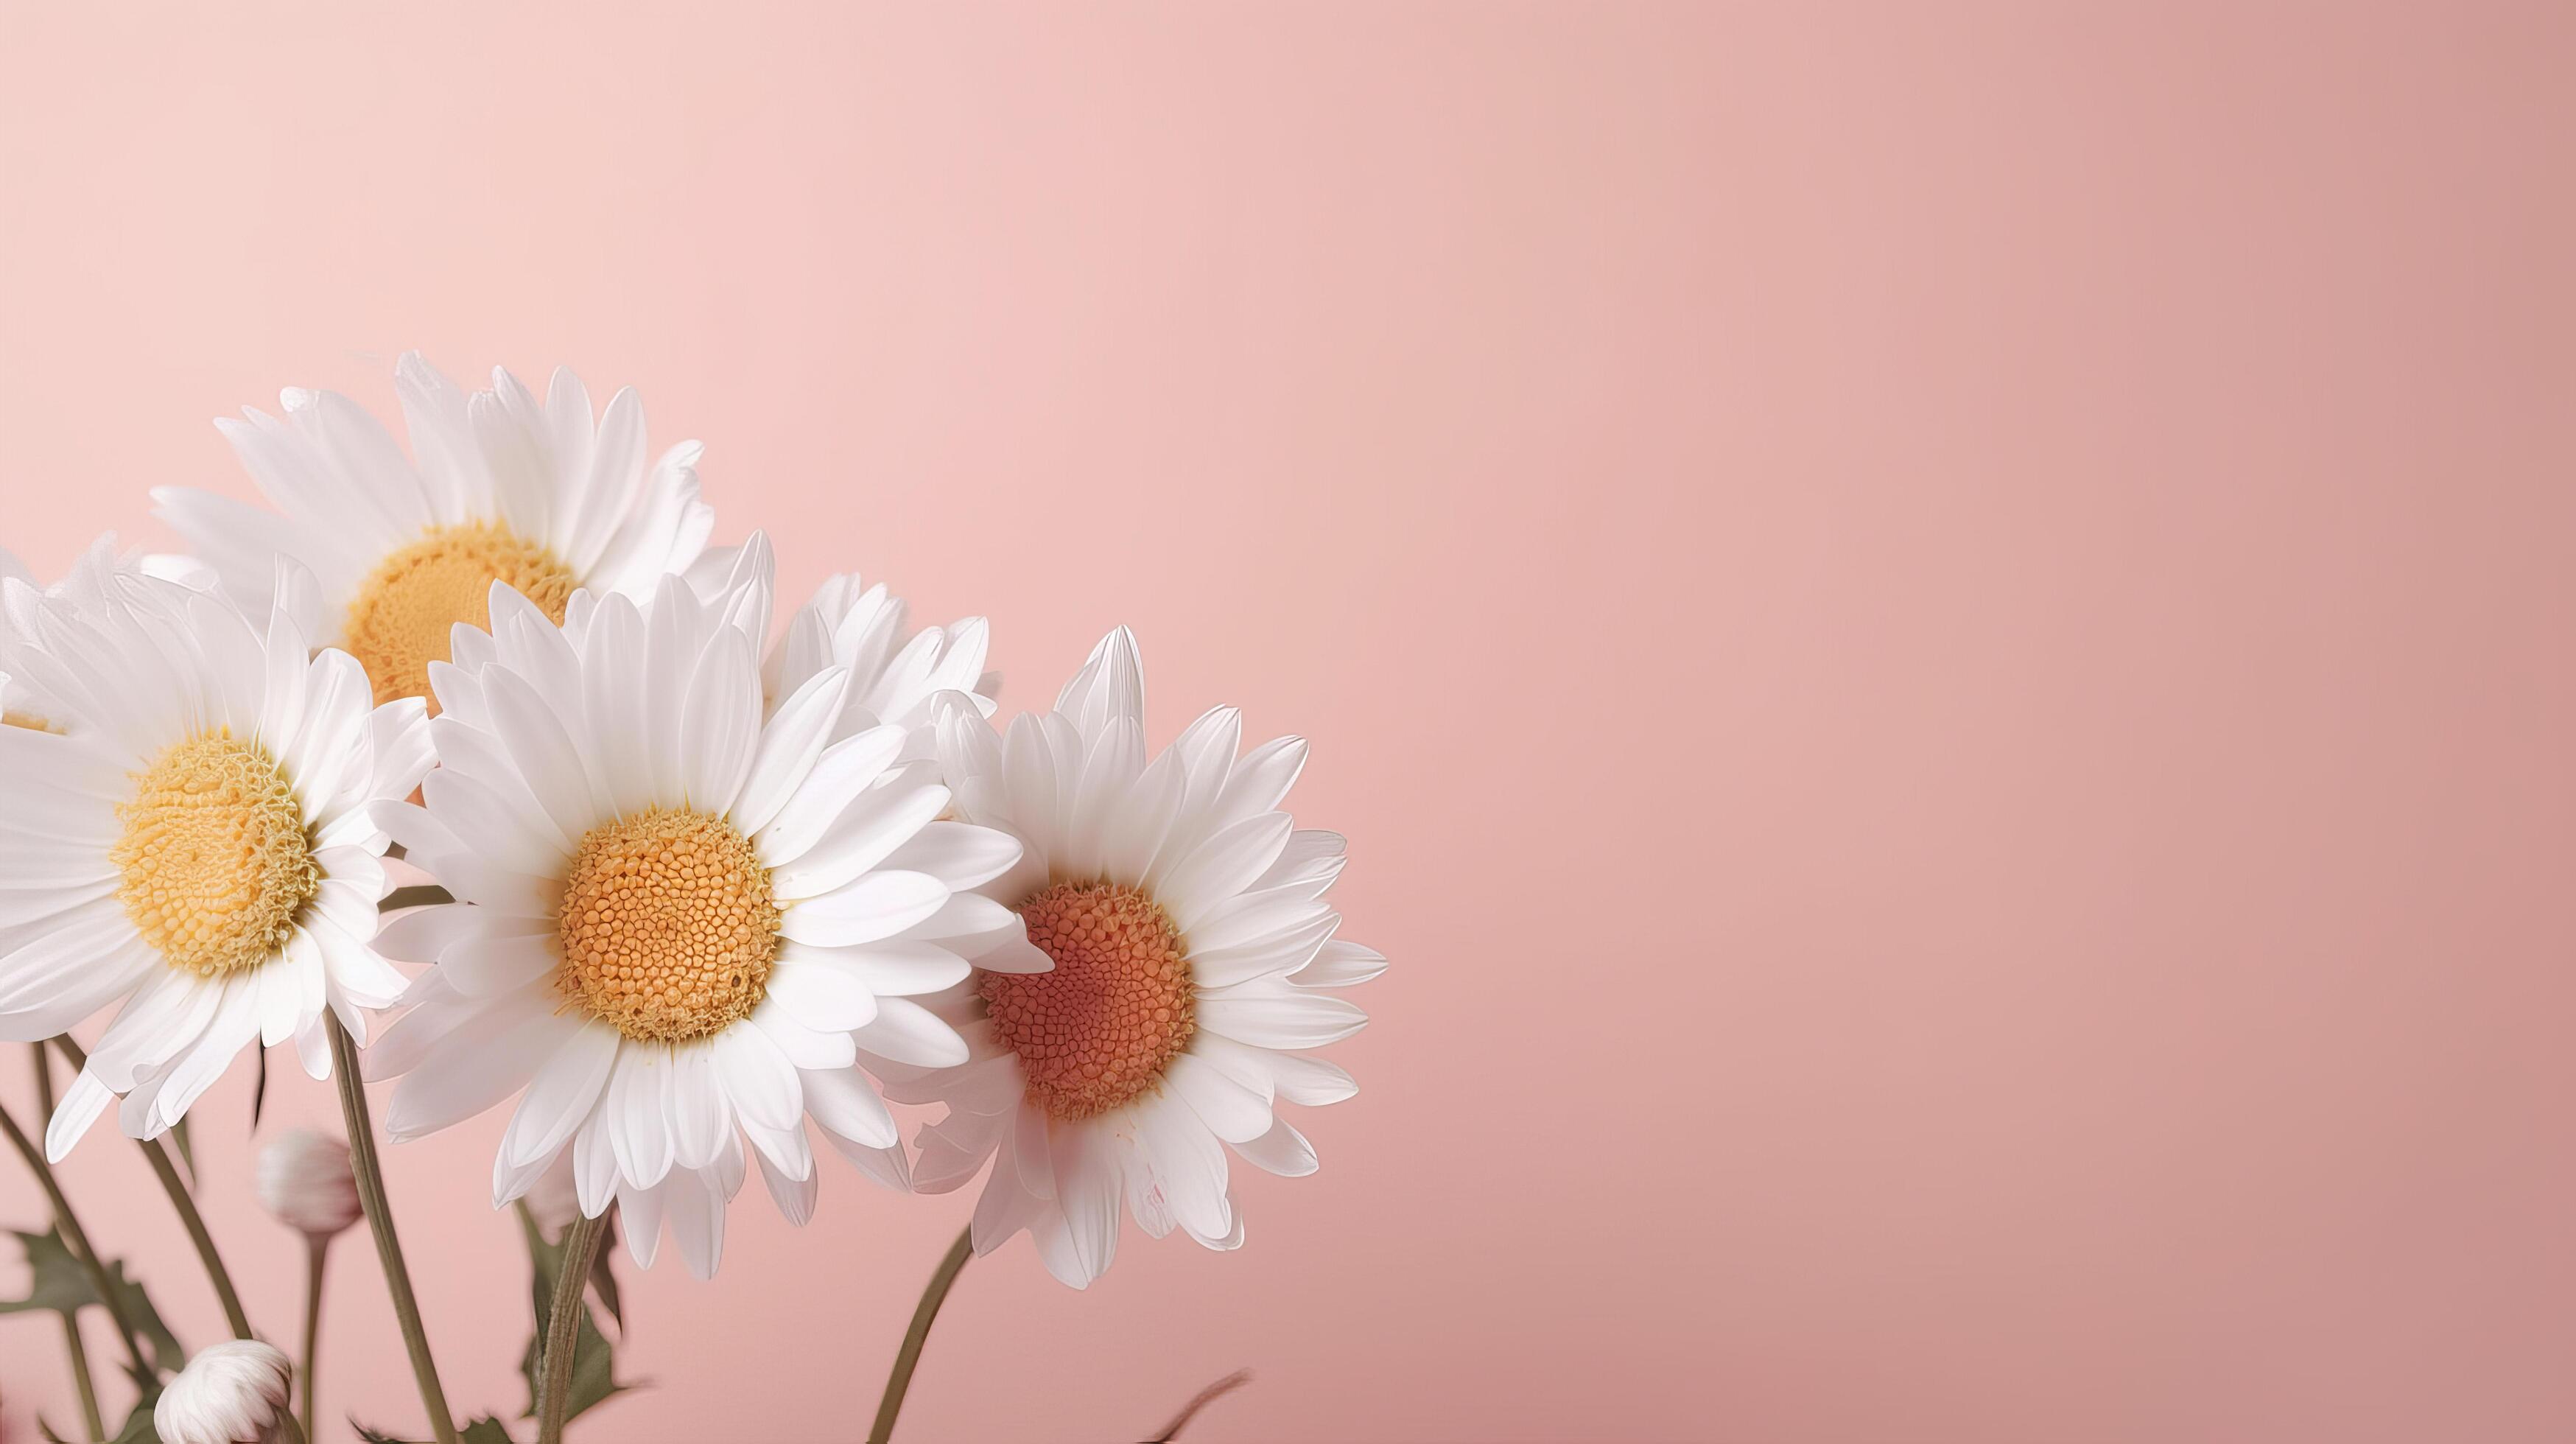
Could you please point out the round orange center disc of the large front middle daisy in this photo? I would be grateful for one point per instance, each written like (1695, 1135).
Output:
(668, 927)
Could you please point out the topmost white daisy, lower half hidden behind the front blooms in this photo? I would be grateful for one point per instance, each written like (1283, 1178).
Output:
(501, 489)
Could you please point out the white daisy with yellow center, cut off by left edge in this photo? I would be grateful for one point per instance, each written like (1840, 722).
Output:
(192, 832)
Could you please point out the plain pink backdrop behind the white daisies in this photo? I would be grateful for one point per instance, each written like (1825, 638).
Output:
(1946, 646)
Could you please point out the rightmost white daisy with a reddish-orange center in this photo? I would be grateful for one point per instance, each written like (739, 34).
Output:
(1194, 958)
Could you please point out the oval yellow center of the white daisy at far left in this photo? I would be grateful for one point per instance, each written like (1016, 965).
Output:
(215, 857)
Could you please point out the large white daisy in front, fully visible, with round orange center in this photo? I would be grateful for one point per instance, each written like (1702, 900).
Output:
(679, 917)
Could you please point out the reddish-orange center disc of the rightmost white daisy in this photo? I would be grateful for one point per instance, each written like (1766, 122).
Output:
(1109, 1020)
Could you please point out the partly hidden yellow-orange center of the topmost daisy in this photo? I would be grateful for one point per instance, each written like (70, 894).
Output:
(401, 620)
